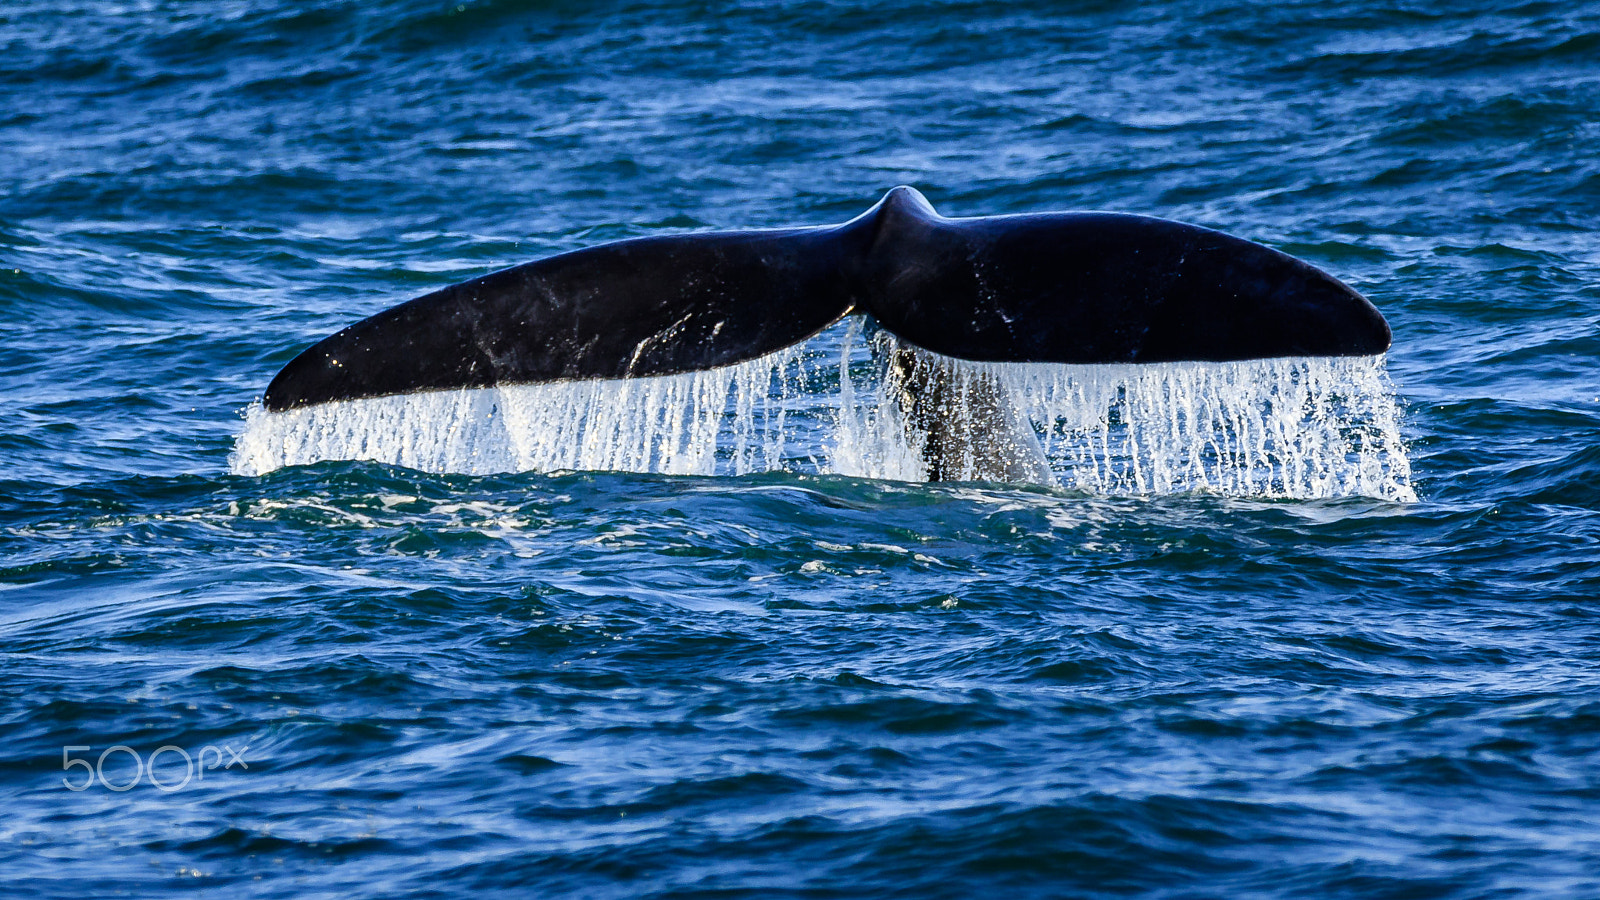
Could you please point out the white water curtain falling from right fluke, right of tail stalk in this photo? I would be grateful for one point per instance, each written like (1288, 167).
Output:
(1292, 428)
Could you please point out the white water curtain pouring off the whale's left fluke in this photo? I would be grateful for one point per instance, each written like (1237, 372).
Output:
(726, 420)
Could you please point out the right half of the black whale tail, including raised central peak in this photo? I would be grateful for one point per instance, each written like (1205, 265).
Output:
(1103, 287)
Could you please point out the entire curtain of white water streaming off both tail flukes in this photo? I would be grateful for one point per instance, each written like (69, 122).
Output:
(1282, 428)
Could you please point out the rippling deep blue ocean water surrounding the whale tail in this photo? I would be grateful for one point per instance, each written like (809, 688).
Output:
(799, 675)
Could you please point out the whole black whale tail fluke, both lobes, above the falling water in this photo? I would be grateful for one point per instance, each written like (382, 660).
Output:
(1050, 287)
